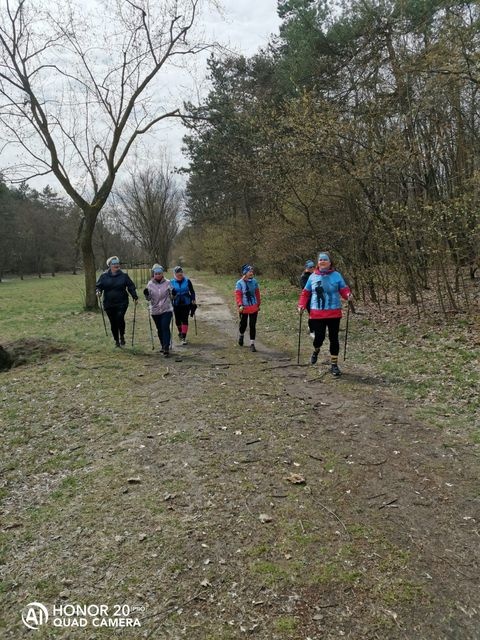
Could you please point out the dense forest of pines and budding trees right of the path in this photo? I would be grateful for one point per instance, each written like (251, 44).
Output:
(356, 130)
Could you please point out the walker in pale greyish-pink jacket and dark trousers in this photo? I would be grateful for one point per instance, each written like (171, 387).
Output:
(158, 292)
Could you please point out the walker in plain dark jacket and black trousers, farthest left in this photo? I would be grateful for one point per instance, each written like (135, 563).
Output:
(115, 285)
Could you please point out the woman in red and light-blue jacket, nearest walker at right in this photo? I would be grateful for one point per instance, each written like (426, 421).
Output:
(324, 290)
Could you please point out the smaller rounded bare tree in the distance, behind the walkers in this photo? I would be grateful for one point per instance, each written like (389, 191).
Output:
(148, 206)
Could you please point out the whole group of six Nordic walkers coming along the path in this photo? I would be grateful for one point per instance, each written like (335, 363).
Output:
(323, 289)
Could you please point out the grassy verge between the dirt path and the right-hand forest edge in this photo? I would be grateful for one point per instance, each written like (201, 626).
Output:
(434, 366)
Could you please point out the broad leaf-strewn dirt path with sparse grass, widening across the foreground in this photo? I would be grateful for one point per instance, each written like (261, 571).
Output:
(269, 501)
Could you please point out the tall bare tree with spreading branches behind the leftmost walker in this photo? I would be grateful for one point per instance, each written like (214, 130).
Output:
(77, 89)
